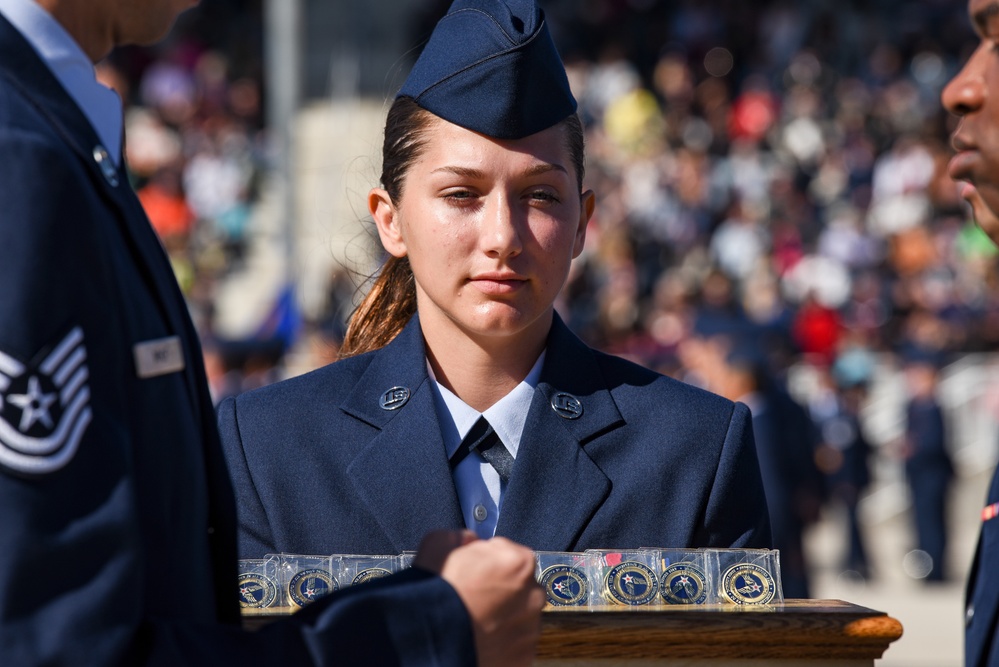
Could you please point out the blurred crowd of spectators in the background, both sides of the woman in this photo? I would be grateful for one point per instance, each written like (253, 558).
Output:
(772, 193)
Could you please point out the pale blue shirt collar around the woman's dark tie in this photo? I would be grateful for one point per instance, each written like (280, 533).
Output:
(507, 416)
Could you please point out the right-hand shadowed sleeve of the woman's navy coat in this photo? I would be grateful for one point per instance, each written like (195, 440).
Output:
(737, 513)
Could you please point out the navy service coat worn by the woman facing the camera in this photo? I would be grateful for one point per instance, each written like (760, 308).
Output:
(320, 467)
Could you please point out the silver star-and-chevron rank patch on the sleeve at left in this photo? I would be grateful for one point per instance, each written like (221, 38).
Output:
(44, 408)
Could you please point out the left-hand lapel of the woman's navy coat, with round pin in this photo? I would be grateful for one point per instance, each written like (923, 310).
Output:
(402, 475)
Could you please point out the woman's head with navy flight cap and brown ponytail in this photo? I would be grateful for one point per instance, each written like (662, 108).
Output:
(480, 212)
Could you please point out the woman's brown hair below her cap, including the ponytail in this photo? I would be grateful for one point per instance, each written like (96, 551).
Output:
(391, 302)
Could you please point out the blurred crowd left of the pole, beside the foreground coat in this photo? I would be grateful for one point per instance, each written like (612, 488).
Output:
(196, 144)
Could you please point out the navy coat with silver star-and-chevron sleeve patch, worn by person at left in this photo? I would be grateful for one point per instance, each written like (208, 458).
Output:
(117, 520)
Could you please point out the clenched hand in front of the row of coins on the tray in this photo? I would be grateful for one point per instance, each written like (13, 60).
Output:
(495, 580)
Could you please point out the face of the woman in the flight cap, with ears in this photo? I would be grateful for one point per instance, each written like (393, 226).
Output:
(490, 228)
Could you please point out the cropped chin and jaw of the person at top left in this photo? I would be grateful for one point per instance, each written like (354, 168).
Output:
(100, 25)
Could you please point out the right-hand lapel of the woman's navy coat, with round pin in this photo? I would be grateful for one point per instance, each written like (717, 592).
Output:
(556, 487)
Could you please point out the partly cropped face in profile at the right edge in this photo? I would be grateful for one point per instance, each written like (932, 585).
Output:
(973, 94)
